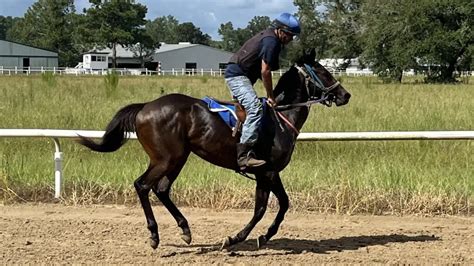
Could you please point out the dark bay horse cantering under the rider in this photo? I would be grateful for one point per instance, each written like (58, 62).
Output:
(171, 127)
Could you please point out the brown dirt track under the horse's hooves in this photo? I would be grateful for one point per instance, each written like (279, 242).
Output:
(117, 234)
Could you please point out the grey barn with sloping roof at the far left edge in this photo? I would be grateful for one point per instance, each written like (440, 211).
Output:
(14, 54)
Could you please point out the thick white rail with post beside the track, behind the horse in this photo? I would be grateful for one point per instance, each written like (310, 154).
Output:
(56, 134)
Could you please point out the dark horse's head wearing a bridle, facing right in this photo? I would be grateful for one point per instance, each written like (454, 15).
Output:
(319, 82)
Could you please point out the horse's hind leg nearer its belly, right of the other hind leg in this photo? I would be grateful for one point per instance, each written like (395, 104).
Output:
(162, 190)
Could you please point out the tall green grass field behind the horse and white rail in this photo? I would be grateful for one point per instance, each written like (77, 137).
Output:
(426, 177)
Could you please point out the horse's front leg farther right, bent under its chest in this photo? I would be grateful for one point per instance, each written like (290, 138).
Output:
(279, 191)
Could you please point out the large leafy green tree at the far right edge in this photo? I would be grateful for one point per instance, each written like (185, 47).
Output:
(400, 35)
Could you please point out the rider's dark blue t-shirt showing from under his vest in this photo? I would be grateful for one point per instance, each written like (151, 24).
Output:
(269, 51)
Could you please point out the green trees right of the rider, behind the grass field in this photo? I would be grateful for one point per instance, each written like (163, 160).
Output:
(390, 36)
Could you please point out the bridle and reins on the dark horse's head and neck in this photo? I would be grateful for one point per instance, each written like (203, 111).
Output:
(310, 76)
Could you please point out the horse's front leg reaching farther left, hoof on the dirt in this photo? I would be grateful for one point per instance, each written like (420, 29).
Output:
(261, 200)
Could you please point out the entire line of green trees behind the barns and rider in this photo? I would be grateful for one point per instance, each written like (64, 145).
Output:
(431, 36)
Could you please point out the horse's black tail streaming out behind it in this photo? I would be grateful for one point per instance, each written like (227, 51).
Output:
(117, 131)
